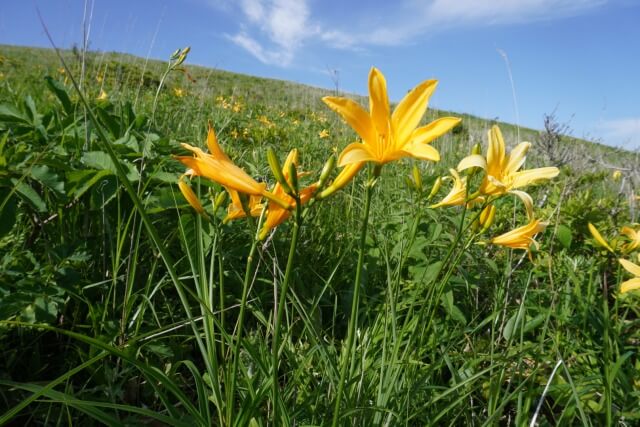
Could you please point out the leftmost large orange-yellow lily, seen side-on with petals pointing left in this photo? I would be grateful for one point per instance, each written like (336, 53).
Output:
(219, 168)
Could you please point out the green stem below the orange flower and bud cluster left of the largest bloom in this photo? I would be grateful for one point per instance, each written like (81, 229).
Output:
(275, 351)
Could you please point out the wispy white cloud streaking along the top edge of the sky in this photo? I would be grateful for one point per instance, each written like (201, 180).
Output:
(274, 30)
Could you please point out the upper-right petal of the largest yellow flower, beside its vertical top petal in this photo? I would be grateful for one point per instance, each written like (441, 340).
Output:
(409, 111)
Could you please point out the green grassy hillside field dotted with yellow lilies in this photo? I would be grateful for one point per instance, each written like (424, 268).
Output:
(191, 247)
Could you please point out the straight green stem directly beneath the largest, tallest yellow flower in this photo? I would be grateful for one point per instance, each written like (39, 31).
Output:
(346, 351)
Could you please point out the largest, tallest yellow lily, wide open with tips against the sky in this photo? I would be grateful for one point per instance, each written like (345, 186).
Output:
(387, 137)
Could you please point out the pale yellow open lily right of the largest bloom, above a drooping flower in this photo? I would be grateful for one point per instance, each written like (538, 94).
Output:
(502, 174)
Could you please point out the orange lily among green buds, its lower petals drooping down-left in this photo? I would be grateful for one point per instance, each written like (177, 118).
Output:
(276, 214)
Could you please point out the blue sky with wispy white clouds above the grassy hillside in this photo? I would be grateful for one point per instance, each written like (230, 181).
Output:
(579, 58)
